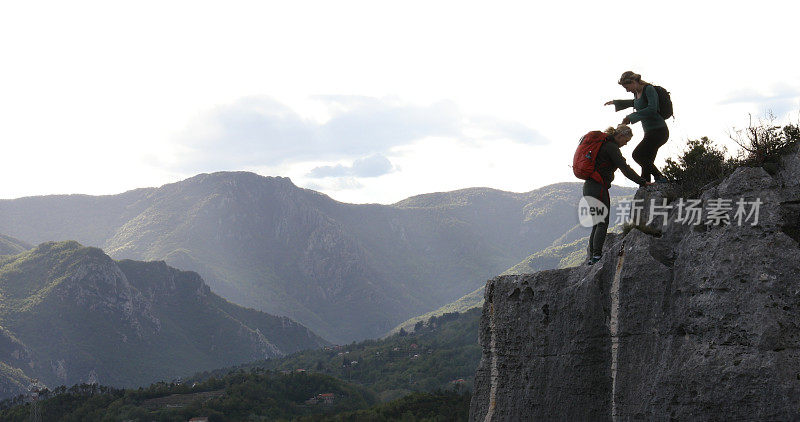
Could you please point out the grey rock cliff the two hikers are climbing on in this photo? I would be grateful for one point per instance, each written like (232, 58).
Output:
(702, 323)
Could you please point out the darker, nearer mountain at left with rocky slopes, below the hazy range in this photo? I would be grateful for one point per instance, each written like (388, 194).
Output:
(71, 314)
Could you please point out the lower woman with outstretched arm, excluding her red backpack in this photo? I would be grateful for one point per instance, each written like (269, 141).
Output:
(609, 159)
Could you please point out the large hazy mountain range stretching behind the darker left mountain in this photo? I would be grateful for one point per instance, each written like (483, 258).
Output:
(346, 271)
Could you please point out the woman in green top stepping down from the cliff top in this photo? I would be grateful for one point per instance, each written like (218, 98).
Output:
(656, 133)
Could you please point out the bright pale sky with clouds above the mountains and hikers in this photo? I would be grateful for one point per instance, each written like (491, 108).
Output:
(366, 101)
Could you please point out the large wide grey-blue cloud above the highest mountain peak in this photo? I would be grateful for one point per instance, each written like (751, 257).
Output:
(259, 131)
